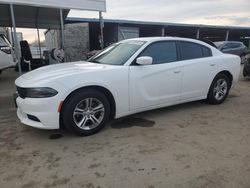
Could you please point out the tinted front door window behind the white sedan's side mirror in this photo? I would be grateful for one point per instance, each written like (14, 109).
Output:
(161, 52)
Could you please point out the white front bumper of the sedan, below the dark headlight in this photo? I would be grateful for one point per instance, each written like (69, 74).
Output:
(45, 110)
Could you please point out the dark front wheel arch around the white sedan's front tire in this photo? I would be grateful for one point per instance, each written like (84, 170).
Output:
(101, 89)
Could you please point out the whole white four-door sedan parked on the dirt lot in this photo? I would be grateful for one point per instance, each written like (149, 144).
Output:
(128, 77)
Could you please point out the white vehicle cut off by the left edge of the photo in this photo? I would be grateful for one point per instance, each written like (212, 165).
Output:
(7, 57)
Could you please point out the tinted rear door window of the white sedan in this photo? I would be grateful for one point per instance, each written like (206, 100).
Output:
(191, 50)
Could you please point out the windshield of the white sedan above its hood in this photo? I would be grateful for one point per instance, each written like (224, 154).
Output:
(118, 53)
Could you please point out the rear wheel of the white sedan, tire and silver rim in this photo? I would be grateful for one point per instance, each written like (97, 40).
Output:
(219, 89)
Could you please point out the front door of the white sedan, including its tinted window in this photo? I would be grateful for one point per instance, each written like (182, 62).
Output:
(159, 83)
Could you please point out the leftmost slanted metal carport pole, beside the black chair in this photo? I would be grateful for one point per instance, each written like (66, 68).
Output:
(17, 50)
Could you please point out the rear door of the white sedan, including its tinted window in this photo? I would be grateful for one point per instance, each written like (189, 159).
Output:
(198, 69)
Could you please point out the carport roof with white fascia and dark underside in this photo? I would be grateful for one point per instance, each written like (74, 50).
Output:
(43, 13)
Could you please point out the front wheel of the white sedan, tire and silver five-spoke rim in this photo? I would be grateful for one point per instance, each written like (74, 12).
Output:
(86, 112)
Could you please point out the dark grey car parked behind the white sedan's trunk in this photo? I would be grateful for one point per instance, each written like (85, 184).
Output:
(233, 47)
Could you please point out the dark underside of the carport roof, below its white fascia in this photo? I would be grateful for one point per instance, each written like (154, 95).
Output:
(31, 17)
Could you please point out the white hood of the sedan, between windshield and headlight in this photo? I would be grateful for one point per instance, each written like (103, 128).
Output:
(63, 69)
